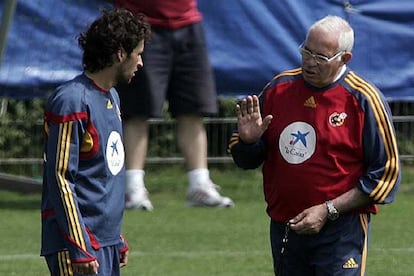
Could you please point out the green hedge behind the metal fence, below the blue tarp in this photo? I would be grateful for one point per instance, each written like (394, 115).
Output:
(22, 133)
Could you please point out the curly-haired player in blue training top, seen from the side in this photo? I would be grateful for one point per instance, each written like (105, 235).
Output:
(84, 174)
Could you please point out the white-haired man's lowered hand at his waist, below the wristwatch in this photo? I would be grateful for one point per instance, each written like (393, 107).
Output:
(310, 221)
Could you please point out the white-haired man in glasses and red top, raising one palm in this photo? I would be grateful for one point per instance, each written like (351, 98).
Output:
(327, 144)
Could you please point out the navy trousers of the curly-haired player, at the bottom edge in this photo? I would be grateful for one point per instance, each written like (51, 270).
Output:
(108, 257)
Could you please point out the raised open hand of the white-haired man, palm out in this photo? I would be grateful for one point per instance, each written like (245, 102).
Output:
(249, 120)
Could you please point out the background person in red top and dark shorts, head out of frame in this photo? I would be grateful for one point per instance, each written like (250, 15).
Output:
(176, 70)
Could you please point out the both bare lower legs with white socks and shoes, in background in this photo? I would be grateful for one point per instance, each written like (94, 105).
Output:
(192, 141)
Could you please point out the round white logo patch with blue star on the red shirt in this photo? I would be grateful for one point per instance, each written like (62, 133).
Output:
(297, 142)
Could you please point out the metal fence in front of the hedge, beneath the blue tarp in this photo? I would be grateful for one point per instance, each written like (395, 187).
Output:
(163, 148)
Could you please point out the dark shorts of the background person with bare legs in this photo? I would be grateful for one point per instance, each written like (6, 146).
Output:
(176, 69)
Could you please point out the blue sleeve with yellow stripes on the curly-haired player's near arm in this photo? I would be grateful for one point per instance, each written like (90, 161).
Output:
(66, 123)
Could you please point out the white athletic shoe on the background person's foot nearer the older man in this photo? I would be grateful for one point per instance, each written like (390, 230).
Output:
(206, 195)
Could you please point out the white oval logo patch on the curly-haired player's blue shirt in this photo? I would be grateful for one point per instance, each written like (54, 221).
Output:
(115, 154)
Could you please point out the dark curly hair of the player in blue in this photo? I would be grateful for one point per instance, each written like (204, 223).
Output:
(114, 30)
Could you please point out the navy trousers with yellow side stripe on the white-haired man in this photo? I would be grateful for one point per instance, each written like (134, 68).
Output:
(339, 249)
